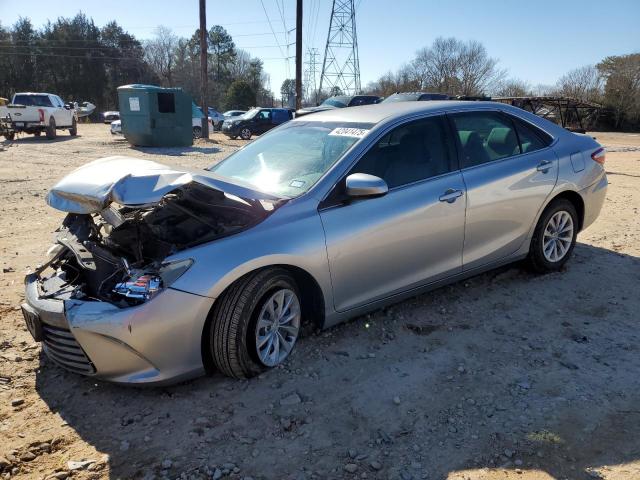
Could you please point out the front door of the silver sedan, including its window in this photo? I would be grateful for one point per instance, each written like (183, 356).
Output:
(412, 235)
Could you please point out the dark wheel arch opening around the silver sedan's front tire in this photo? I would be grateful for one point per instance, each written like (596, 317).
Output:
(312, 300)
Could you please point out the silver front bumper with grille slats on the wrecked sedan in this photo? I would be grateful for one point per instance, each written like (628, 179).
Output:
(154, 343)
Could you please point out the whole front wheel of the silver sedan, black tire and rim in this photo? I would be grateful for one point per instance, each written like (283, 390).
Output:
(234, 335)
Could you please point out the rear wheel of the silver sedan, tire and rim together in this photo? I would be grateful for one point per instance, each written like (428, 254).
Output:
(552, 244)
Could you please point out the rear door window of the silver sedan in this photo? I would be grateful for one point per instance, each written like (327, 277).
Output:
(485, 137)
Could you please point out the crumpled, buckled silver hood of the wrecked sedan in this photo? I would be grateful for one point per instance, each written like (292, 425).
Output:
(133, 182)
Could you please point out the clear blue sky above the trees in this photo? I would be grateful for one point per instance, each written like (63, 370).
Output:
(536, 41)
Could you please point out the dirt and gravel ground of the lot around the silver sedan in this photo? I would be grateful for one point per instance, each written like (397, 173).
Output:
(507, 375)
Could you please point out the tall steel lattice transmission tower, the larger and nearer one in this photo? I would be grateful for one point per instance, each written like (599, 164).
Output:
(341, 67)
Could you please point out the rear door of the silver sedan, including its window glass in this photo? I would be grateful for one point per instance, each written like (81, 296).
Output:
(508, 172)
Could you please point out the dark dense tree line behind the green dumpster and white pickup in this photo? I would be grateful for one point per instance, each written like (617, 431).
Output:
(79, 61)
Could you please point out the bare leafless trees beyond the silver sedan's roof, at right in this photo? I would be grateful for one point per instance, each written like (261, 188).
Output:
(455, 67)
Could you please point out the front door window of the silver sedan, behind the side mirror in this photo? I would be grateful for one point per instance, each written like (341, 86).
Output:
(412, 152)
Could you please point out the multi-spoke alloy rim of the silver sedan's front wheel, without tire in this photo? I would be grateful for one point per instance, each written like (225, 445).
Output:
(277, 327)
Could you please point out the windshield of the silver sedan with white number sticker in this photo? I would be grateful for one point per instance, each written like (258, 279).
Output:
(291, 159)
